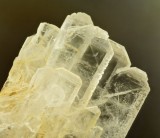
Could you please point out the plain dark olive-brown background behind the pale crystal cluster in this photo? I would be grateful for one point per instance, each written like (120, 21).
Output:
(133, 23)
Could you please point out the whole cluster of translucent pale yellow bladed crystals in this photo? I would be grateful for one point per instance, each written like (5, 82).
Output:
(71, 82)
